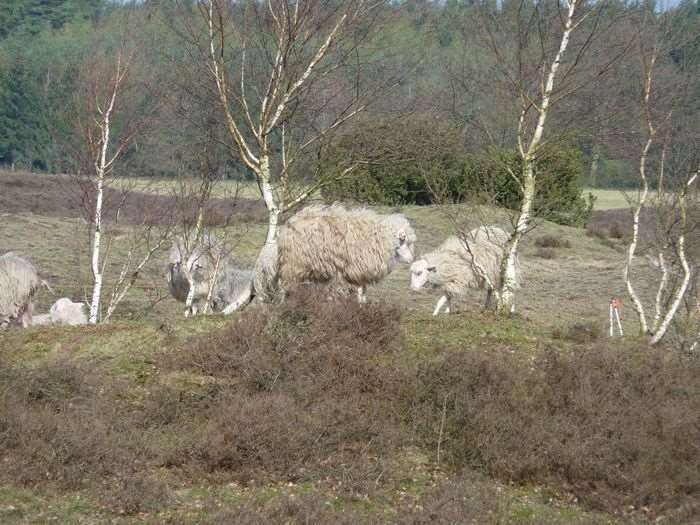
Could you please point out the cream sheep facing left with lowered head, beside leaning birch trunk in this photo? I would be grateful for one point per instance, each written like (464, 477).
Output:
(454, 268)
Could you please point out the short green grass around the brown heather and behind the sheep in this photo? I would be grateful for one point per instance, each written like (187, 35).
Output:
(569, 287)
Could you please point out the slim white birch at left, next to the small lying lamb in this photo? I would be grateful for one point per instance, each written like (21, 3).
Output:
(105, 118)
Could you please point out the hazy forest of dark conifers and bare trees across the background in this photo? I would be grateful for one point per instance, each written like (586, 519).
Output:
(435, 105)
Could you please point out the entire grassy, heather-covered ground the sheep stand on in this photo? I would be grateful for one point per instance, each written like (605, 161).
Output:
(327, 412)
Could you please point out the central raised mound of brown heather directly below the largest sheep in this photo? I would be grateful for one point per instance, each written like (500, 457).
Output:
(302, 385)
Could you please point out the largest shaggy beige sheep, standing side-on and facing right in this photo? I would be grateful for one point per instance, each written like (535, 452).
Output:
(333, 244)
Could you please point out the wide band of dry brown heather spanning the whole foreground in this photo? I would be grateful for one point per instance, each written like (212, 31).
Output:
(327, 391)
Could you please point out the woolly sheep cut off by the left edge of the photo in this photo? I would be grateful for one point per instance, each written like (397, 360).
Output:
(19, 281)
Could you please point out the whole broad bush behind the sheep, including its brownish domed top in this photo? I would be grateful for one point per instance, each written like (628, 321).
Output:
(438, 171)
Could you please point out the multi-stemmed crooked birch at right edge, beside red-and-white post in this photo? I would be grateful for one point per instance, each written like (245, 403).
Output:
(668, 161)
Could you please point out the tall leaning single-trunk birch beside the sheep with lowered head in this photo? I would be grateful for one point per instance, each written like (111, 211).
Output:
(538, 63)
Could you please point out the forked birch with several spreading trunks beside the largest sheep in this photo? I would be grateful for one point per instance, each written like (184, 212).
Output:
(280, 72)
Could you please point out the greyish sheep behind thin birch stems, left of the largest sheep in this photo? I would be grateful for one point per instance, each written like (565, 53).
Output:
(201, 263)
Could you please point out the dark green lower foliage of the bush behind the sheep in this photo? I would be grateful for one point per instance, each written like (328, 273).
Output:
(432, 177)
